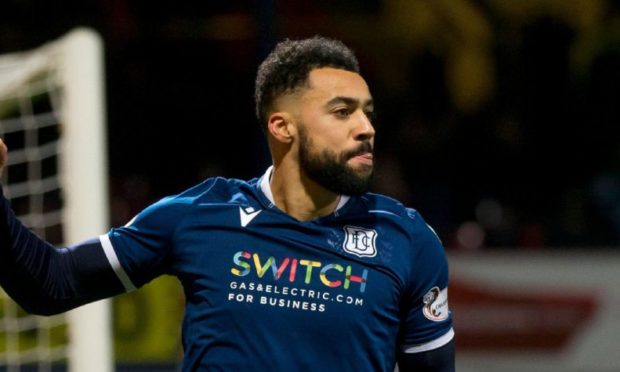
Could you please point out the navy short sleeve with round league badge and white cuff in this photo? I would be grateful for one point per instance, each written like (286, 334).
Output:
(428, 321)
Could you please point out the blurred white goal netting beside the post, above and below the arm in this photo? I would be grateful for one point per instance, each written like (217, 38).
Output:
(29, 124)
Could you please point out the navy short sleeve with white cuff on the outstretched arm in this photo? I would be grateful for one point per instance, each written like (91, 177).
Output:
(140, 251)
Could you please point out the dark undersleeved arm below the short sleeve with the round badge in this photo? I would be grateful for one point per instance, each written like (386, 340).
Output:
(436, 360)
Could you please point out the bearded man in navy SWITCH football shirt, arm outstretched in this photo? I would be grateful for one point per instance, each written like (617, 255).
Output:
(300, 269)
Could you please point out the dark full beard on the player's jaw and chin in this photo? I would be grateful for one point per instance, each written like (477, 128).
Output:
(330, 170)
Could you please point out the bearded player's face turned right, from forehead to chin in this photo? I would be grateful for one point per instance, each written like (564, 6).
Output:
(336, 136)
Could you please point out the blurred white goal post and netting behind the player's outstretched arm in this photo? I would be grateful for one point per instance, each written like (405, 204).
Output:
(52, 120)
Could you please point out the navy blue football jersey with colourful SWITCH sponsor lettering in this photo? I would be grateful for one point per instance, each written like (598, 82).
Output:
(265, 291)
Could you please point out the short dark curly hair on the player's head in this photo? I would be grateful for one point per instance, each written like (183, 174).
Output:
(287, 67)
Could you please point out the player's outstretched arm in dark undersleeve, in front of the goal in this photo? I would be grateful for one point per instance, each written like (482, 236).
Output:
(45, 280)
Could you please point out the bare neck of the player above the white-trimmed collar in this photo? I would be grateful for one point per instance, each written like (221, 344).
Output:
(299, 196)
